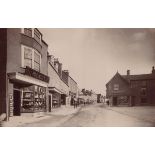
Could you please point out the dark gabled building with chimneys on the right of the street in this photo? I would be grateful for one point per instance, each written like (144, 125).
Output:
(131, 89)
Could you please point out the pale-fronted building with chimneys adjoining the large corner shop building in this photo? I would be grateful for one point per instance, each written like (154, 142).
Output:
(58, 87)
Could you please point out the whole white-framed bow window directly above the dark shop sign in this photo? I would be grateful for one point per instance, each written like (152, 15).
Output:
(31, 58)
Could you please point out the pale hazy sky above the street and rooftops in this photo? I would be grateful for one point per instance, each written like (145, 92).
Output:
(93, 56)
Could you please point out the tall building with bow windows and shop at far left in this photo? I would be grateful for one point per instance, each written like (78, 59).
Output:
(23, 71)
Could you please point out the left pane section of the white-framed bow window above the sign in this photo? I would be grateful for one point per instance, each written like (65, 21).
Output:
(27, 57)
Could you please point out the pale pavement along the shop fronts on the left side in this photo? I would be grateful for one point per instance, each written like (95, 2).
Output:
(24, 120)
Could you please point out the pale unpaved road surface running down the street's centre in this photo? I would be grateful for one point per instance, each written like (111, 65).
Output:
(95, 115)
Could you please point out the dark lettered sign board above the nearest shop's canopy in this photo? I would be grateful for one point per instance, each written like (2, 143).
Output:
(30, 72)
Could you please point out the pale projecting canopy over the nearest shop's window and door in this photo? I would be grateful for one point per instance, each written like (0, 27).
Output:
(18, 77)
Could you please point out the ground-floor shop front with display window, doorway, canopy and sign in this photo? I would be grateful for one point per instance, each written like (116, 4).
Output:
(27, 93)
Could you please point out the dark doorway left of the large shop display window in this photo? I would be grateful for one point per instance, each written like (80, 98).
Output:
(17, 103)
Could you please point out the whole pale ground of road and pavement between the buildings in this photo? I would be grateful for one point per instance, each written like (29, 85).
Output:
(94, 115)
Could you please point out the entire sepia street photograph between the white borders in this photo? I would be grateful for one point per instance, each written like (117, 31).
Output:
(77, 77)
